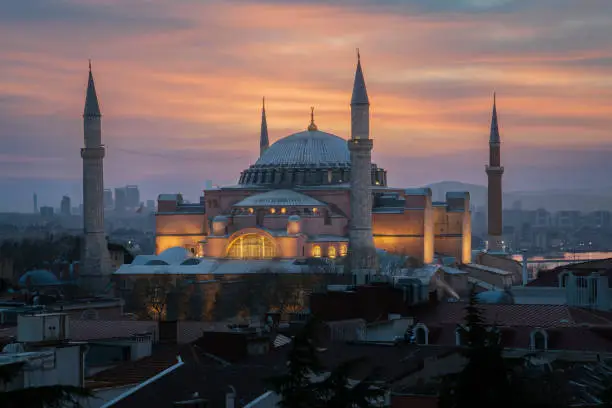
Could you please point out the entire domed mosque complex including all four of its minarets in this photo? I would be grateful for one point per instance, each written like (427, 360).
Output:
(311, 194)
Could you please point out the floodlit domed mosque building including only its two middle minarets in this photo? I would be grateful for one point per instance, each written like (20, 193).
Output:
(297, 199)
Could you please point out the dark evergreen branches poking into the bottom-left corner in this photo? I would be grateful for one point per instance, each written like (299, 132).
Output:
(53, 396)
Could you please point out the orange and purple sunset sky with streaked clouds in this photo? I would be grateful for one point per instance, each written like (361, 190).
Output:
(180, 85)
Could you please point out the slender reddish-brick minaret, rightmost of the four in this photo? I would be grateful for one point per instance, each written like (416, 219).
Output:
(494, 173)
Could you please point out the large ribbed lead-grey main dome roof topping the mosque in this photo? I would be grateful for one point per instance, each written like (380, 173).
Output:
(310, 148)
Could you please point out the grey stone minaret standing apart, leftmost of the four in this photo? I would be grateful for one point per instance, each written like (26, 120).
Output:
(95, 265)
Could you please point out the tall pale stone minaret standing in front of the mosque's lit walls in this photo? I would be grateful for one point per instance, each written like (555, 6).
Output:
(362, 254)
